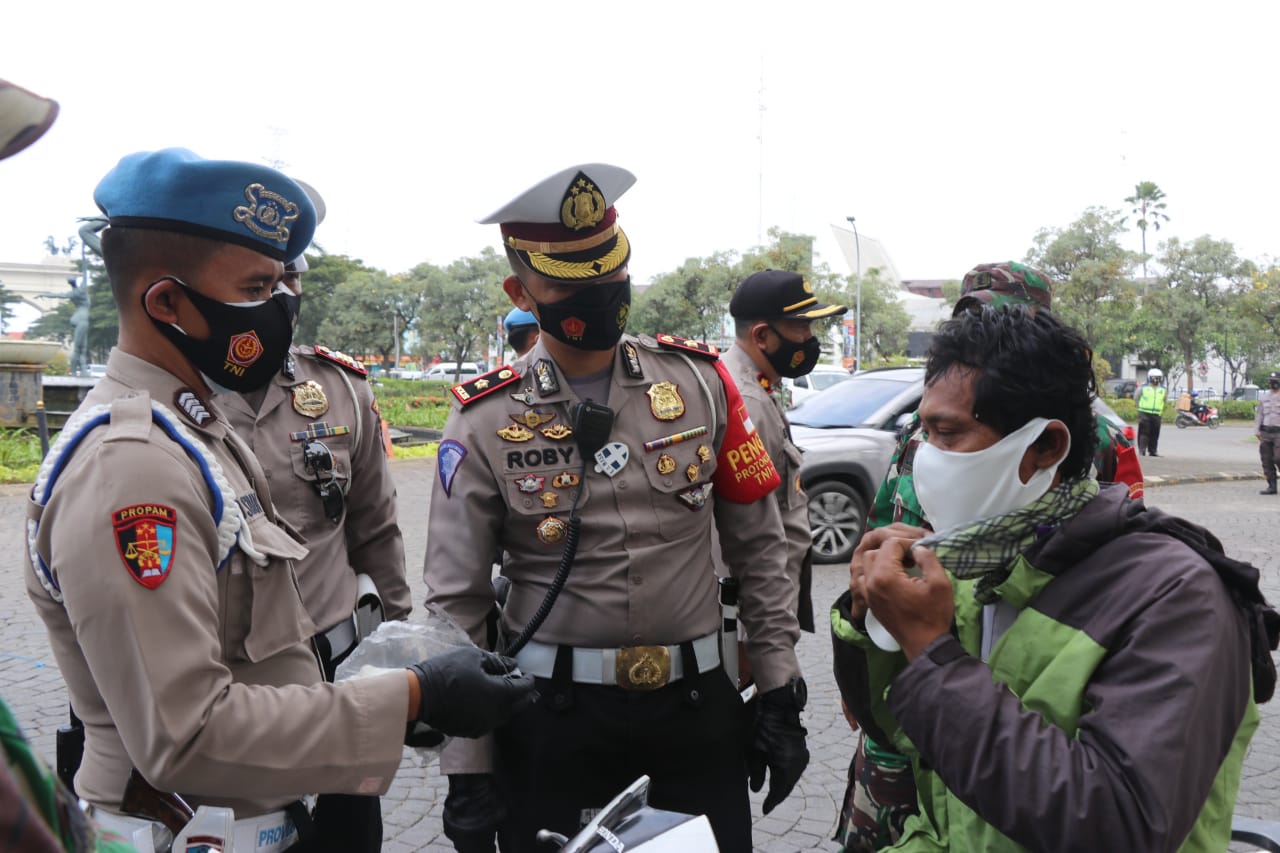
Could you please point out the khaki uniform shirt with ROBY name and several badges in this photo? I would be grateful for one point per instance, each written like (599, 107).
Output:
(643, 573)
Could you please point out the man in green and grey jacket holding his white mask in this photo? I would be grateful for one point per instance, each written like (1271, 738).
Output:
(1075, 669)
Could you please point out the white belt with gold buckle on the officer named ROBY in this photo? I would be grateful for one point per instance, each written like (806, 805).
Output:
(636, 668)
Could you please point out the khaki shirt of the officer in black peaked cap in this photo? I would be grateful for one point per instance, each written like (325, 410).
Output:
(771, 423)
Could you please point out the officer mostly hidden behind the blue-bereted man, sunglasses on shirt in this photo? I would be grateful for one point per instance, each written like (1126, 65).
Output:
(317, 432)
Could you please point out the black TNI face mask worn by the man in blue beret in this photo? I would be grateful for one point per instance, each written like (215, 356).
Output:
(246, 344)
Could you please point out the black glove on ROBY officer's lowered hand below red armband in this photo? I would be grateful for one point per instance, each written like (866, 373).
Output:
(778, 742)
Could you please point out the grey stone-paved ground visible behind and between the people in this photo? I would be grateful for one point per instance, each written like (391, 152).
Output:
(1232, 508)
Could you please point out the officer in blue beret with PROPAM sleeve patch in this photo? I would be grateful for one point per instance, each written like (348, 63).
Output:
(156, 559)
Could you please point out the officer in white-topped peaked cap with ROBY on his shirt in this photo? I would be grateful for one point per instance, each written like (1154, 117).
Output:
(615, 455)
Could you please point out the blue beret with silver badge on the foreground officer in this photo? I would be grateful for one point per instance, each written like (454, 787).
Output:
(237, 203)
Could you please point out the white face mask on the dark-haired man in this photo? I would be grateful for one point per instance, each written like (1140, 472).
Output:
(959, 489)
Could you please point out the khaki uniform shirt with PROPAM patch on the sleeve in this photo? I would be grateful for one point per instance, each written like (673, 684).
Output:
(207, 683)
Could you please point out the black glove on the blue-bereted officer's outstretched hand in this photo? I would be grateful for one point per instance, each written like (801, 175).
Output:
(470, 692)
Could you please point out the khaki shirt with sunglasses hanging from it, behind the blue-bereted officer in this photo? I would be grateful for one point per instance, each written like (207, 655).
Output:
(330, 399)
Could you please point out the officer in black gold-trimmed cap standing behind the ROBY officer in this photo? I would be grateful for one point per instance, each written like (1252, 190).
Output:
(774, 314)
